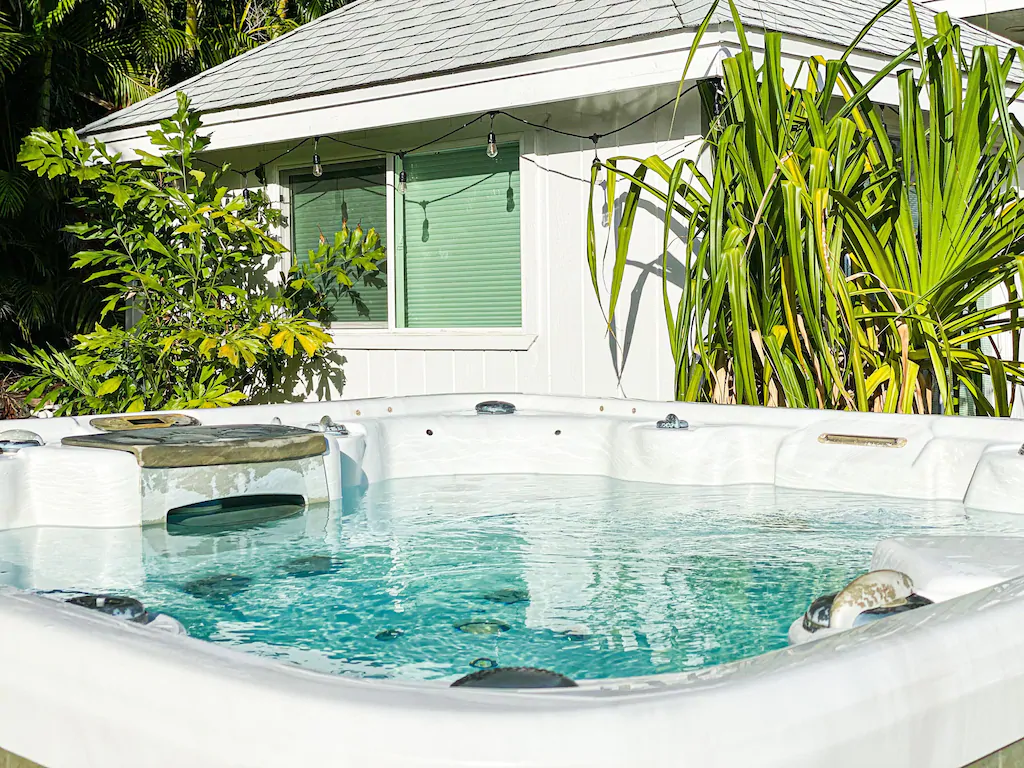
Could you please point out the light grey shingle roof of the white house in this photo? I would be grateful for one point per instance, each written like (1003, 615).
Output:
(371, 42)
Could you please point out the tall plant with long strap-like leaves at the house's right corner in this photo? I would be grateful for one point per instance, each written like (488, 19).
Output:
(808, 280)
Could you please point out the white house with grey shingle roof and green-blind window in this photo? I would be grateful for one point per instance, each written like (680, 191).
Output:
(488, 282)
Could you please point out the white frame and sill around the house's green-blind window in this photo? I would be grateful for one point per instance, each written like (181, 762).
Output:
(375, 335)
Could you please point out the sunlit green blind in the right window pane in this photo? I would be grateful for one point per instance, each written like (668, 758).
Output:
(460, 255)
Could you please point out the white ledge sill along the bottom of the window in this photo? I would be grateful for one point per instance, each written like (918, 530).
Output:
(497, 339)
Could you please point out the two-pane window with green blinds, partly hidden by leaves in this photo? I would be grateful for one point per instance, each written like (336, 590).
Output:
(455, 253)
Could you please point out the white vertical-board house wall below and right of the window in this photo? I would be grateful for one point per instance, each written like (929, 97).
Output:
(572, 354)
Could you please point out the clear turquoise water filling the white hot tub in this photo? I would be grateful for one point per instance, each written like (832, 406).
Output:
(434, 578)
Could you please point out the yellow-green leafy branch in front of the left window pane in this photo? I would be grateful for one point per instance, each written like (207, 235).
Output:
(335, 272)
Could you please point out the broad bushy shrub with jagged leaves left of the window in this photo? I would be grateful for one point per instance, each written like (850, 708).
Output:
(177, 255)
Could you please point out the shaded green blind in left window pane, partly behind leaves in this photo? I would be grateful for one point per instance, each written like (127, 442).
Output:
(356, 194)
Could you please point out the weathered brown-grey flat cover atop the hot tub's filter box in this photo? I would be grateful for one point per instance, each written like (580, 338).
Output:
(209, 446)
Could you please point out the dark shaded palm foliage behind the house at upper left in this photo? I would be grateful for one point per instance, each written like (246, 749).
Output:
(65, 63)
